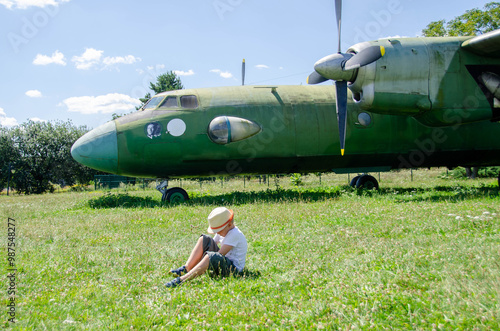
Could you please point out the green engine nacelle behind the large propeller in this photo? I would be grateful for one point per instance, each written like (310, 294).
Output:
(426, 78)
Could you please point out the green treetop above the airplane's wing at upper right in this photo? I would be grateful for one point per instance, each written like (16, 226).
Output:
(473, 22)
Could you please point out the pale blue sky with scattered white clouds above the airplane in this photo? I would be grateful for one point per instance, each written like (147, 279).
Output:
(85, 59)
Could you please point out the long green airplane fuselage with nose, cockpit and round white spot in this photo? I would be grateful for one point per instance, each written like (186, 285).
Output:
(296, 131)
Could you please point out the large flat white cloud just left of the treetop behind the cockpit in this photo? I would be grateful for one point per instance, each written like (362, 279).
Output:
(104, 104)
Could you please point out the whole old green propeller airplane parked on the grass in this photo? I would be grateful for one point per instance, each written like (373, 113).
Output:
(397, 103)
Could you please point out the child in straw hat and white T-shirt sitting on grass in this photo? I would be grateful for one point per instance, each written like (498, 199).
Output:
(206, 254)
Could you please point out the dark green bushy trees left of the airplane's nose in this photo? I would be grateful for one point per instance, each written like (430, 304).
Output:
(40, 155)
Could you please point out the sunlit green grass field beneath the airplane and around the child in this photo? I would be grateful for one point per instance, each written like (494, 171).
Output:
(417, 255)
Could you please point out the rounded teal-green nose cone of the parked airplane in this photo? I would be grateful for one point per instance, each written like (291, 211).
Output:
(98, 149)
